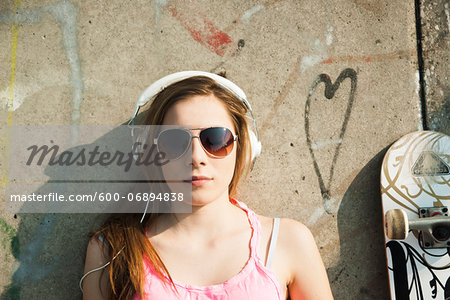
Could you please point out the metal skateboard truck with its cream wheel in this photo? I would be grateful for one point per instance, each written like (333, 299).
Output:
(433, 226)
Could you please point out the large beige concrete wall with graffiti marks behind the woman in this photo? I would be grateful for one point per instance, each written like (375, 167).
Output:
(332, 85)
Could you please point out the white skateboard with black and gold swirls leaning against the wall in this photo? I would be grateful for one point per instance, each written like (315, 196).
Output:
(415, 192)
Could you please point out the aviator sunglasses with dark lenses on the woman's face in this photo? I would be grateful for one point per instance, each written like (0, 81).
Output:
(216, 141)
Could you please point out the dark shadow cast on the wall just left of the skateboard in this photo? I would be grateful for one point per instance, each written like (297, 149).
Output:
(362, 263)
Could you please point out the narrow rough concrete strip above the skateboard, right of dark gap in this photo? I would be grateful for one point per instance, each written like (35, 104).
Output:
(435, 23)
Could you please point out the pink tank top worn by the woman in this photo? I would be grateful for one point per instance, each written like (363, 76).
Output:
(254, 281)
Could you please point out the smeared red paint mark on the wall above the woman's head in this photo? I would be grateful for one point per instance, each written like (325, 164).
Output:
(203, 30)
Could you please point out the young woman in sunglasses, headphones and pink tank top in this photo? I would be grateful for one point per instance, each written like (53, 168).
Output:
(222, 250)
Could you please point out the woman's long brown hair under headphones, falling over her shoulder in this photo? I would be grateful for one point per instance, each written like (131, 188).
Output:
(124, 232)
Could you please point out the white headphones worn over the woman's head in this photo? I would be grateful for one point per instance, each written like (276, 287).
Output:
(159, 85)
